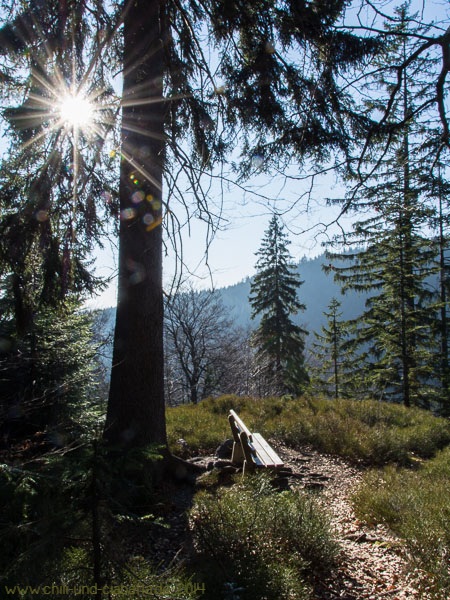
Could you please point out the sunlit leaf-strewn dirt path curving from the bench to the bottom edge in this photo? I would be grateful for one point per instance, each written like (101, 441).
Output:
(373, 561)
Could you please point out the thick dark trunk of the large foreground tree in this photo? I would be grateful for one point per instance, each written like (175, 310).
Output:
(135, 413)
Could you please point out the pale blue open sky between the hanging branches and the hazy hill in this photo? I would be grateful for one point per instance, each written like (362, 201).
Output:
(231, 254)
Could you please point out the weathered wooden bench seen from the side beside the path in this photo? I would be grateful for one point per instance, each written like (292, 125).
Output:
(250, 449)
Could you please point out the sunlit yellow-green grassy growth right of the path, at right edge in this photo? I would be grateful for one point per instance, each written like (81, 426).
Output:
(416, 505)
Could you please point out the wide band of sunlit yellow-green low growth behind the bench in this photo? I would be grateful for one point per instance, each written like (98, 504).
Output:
(369, 431)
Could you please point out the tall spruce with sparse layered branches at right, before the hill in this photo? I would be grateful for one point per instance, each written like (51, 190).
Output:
(392, 264)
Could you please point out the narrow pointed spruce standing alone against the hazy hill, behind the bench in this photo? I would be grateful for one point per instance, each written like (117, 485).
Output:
(278, 341)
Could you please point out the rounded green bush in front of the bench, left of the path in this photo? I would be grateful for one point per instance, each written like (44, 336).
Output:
(265, 543)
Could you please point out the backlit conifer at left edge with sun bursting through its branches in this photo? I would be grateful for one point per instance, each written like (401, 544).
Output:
(52, 213)
